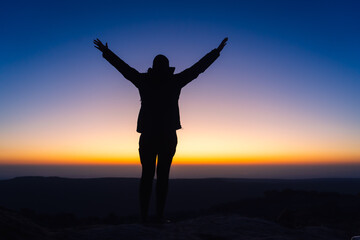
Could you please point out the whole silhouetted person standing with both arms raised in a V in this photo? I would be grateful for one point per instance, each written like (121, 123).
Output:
(159, 117)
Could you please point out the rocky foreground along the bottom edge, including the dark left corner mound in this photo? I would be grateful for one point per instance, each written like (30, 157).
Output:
(214, 227)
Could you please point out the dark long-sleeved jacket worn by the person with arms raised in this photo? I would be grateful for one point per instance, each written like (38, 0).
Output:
(160, 91)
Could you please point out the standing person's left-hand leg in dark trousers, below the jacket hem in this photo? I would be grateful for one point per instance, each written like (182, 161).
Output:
(148, 162)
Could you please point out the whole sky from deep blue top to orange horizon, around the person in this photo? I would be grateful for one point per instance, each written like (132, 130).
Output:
(284, 90)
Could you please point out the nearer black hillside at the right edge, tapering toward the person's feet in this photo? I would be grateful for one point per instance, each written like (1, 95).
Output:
(296, 209)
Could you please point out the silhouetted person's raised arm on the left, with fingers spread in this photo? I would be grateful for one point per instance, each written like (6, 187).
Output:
(128, 72)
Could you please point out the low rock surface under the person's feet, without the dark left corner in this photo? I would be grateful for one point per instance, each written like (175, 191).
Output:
(214, 227)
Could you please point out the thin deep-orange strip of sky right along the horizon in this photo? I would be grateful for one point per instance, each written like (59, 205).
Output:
(182, 160)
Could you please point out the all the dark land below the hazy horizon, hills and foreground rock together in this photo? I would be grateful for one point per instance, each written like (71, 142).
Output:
(60, 208)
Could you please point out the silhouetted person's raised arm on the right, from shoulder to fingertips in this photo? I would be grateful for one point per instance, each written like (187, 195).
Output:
(193, 72)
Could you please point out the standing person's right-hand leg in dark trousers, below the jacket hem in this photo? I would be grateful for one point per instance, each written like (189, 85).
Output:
(166, 153)
